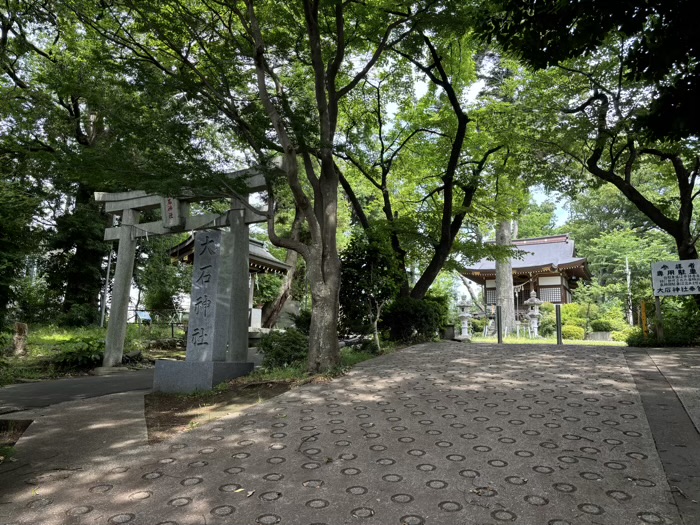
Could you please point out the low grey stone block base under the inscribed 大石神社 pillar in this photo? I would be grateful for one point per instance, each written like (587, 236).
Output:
(184, 377)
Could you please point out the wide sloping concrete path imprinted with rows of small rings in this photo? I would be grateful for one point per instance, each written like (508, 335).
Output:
(435, 434)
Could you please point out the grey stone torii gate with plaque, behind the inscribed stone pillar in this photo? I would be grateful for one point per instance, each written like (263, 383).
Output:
(176, 218)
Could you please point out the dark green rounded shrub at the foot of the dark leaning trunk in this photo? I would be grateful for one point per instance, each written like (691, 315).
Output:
(413, 320)
